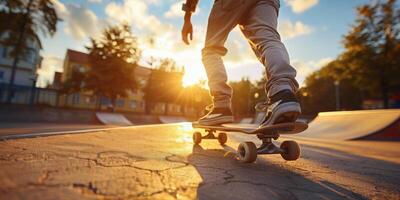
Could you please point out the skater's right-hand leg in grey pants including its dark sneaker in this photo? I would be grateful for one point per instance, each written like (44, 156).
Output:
(260, 28)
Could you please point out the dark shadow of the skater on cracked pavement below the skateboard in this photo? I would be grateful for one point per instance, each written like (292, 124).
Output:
(226, 178)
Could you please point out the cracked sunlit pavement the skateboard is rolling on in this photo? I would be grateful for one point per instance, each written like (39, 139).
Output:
(161, 162)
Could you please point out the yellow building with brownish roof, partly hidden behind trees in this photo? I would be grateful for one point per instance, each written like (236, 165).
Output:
(135, 102)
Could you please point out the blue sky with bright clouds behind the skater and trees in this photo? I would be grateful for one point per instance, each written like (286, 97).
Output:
(312, 31)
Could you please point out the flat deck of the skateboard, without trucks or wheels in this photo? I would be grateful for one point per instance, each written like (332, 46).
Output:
(283, 128)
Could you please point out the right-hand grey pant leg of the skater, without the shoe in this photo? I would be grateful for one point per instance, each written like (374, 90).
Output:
(260, 28)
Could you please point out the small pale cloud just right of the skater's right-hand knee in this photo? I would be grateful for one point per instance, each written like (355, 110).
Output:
(289, 30)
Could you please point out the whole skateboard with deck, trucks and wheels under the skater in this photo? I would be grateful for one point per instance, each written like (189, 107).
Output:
(247, 151)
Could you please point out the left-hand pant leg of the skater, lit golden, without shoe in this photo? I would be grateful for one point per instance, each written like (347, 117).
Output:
(224, 16)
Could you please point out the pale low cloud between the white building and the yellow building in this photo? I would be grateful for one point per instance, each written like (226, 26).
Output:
(50, 65)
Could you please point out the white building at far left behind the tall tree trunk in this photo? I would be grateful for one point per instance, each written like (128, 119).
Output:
(25, 76)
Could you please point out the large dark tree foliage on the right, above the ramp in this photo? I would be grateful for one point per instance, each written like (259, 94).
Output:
(368, 68)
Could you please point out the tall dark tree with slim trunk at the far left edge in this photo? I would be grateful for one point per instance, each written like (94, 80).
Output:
(28, 18)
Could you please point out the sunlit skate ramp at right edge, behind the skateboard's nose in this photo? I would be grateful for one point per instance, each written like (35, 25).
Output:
(353, 125)
